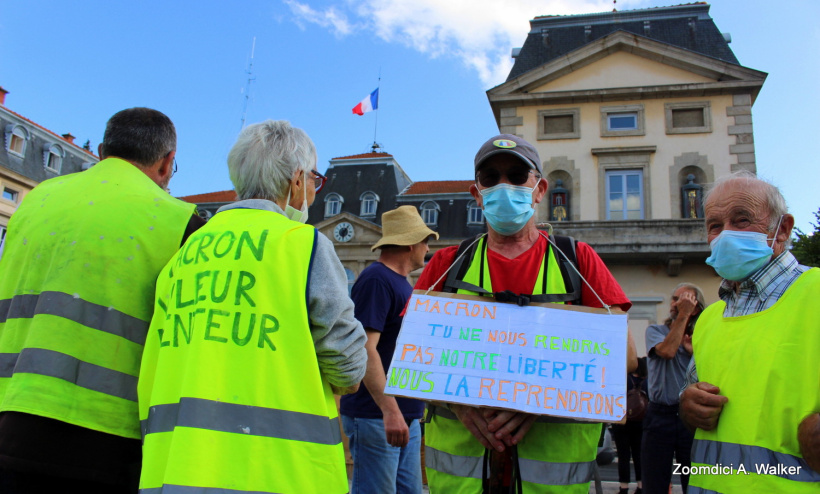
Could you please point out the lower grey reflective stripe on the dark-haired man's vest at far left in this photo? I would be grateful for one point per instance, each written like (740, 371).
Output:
(65, 367)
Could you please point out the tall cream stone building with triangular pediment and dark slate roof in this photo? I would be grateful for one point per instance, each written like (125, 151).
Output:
(633, 113)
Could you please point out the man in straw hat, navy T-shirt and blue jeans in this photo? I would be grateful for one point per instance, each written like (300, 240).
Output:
(384, 432)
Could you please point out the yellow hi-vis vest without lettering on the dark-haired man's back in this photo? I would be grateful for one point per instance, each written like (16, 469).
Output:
(77, 281)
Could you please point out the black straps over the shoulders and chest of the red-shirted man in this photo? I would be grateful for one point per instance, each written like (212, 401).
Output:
(572, 280)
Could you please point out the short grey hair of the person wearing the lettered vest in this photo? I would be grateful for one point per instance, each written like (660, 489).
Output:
(266, 156)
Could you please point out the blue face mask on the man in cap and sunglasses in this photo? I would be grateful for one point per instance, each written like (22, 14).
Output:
(507, 207)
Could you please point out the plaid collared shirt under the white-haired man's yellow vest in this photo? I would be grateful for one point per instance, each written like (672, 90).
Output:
(755, 294)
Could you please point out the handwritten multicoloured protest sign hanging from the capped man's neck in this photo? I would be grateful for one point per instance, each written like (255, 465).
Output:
(545, 359)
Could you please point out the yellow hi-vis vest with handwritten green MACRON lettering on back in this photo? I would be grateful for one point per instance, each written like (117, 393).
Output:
(231, 395)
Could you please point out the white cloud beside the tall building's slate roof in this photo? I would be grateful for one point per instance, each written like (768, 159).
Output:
(480, 33)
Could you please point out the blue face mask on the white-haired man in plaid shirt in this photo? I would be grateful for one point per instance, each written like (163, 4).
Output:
(736, 255)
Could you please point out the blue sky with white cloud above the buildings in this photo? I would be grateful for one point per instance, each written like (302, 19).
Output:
(70, 66)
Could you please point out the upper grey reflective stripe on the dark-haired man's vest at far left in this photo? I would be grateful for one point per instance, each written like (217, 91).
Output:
(75, 309)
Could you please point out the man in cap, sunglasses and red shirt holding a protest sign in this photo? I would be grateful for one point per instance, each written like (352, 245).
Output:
(514, 261)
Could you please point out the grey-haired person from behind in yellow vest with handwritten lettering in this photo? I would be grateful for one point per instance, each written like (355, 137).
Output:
(252, 334)
